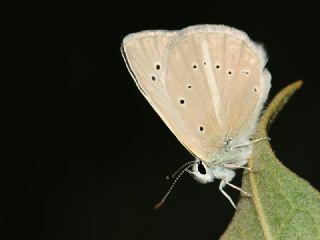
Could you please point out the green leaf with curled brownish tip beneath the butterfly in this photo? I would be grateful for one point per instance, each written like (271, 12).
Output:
(283, 205)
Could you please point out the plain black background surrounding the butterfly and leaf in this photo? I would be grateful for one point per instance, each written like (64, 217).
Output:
(84, 156)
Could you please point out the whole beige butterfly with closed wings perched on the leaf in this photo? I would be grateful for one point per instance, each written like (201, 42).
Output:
(208, 83)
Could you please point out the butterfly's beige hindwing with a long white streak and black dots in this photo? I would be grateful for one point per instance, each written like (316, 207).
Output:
(229, 84)
